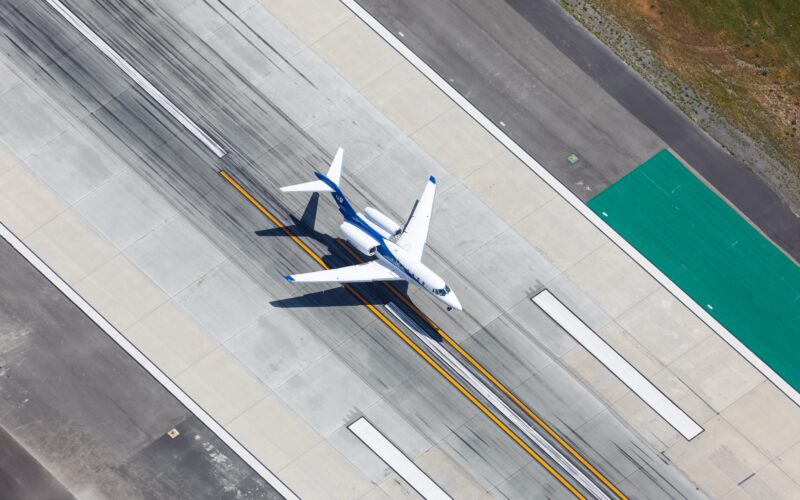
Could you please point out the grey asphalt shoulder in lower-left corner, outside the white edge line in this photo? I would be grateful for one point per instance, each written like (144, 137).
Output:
(78, 417)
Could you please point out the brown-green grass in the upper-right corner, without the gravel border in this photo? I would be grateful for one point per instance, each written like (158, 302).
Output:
(743, 56)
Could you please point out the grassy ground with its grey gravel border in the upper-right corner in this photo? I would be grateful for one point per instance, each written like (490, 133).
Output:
(733, 66)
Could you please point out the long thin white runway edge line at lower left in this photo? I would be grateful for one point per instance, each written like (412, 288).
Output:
(145, 363)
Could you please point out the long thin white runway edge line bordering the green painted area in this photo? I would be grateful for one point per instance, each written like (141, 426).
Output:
(573, 200)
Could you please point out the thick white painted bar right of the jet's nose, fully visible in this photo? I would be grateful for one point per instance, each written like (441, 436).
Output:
(618, 365)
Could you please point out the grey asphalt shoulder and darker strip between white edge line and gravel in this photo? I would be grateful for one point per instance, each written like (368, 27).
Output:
(497, 55)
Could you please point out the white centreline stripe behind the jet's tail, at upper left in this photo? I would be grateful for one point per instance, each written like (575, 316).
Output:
(137, 77)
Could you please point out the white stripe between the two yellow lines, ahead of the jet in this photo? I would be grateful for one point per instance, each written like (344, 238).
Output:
(519, 422)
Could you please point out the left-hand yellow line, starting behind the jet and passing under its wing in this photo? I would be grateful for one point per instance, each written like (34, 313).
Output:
(436, 366)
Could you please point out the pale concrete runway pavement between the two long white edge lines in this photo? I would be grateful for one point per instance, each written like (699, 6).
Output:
(281, 87)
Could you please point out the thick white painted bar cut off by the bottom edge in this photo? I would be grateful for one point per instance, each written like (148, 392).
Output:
(395, 459)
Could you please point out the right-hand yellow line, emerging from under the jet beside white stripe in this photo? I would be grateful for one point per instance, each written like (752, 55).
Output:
(535, 417)
